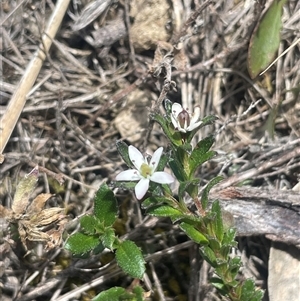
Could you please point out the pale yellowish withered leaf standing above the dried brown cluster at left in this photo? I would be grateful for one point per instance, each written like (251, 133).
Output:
(23, 191)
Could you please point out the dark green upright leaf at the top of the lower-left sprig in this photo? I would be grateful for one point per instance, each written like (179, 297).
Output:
(105, 207)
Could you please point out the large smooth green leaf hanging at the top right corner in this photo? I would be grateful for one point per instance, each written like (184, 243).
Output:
(265, 39)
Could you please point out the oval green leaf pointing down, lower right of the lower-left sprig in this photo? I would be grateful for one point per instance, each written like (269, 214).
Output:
(130, 259)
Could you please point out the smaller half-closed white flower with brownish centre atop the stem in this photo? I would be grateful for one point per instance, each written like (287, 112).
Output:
(182, 120)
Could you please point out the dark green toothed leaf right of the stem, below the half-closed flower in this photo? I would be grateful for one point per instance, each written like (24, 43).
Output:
(201, 154)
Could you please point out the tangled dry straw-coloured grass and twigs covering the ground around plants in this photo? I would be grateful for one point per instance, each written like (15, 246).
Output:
(96, 85)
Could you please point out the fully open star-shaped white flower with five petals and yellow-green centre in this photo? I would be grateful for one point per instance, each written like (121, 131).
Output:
(144, 172)
